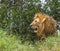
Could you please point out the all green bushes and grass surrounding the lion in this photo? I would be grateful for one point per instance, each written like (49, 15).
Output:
(15, 19)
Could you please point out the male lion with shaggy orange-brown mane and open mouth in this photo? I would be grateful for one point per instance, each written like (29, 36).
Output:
(44, 25)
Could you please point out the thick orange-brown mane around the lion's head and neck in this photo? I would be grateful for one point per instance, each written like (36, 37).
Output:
(47, 26)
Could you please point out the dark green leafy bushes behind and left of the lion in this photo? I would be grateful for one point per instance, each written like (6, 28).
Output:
(16, 15)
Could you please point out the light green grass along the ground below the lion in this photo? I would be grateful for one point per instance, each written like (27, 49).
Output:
(13, 43)
